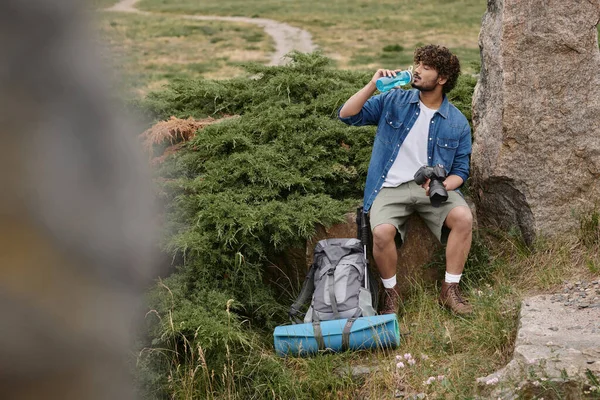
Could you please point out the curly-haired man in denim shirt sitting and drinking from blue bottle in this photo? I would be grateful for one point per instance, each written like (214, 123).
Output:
(414, 128)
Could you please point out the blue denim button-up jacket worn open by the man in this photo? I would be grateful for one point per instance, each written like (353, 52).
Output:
(395, 113)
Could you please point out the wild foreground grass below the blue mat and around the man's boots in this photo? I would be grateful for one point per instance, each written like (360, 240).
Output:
(449, 352)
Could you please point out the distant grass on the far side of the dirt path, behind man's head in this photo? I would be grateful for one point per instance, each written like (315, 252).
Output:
(356, 32)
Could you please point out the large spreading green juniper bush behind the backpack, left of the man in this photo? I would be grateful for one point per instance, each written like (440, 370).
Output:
(240, 191)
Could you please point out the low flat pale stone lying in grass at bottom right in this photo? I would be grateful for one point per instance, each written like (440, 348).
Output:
(554, 342)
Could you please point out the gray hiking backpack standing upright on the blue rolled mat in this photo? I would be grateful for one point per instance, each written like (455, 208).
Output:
(337, 283)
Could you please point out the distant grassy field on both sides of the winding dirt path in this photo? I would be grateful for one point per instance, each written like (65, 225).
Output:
(151, 50)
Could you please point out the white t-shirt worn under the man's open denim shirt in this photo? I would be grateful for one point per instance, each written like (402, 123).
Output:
(413, 152)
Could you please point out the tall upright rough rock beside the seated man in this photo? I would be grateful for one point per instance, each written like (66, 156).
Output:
(536, 115)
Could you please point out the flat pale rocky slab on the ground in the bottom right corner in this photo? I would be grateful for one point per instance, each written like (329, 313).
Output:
(558, 343)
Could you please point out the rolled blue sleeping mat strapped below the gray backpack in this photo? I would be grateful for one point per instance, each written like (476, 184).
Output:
(379, 331)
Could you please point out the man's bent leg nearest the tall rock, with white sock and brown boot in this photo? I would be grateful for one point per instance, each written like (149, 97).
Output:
(460, 223)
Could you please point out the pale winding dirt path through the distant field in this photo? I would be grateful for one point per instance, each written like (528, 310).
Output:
(286, 37)
